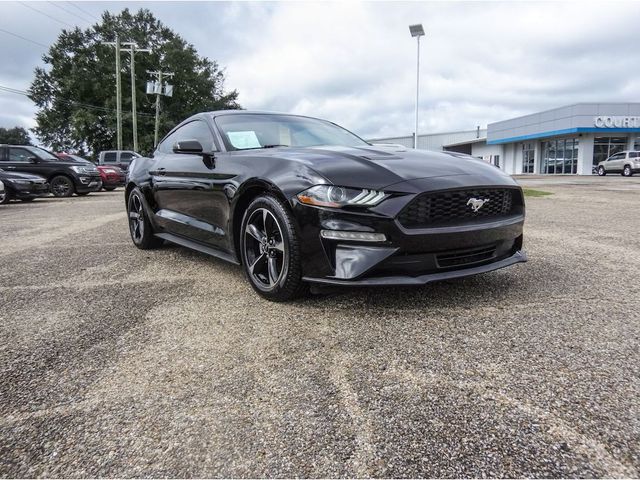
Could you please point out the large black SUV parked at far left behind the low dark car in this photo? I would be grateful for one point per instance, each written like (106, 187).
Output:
(65, 178)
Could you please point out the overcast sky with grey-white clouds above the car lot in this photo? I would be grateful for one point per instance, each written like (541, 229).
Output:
(354, 63)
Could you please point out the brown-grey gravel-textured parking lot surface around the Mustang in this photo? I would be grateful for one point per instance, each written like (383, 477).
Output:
(119, 362)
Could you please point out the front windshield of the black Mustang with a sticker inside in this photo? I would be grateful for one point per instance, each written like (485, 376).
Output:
(250, 131)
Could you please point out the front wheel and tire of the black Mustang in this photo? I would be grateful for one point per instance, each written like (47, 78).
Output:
(270, 250)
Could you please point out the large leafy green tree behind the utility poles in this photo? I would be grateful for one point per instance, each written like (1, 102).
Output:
(75, 92)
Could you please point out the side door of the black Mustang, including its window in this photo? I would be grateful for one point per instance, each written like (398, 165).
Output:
(188, 188)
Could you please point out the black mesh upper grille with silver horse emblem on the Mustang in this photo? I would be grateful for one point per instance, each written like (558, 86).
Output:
(453, 207)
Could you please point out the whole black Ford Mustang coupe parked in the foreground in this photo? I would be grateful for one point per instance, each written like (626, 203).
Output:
(298, 200)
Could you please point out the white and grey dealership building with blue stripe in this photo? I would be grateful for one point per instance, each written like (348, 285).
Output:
(565, 140)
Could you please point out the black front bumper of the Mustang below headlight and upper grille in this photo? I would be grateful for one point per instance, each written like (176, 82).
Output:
(413, 256)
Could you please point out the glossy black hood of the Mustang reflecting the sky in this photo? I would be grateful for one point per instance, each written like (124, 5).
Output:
(375, 167)
